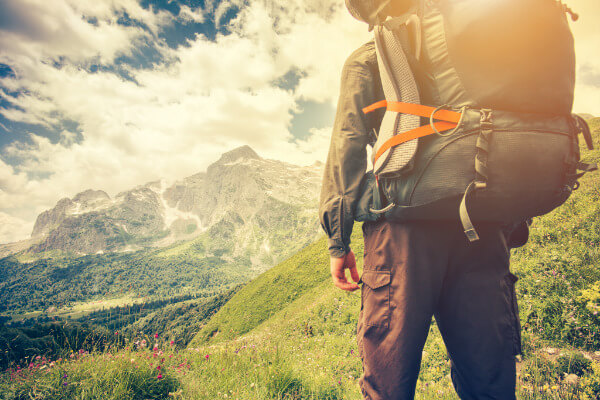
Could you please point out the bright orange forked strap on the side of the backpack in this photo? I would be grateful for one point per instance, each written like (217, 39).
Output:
(449, 120)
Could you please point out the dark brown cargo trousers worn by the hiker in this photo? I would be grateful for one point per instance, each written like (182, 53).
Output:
(413, 271)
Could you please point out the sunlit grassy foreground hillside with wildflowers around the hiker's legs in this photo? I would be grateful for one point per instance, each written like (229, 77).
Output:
(290, 334)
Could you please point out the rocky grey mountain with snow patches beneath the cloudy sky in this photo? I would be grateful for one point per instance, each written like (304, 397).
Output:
(243, 205)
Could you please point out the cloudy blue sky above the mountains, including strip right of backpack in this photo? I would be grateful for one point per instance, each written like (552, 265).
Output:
(110, 94)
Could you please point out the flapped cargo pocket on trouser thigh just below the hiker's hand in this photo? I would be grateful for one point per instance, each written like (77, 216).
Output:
(375, 298)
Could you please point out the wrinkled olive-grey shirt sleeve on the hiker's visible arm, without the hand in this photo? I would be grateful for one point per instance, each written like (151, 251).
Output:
(347, 158)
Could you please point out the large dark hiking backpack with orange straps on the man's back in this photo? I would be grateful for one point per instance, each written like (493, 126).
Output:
(478, 123)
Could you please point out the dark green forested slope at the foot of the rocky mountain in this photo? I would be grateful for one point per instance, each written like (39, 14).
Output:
(62, 283)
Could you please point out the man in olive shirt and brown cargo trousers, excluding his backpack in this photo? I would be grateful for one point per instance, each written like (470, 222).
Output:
(415, 270)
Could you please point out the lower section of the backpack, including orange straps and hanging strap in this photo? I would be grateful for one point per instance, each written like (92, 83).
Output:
(498, 172)
